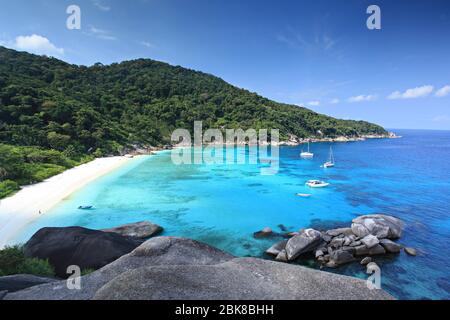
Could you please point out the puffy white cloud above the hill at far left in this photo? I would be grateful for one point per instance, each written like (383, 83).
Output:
(36, 44)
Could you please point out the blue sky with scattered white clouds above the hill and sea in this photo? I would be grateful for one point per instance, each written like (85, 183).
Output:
(319, 53)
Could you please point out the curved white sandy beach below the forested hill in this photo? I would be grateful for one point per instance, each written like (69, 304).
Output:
(22, 208)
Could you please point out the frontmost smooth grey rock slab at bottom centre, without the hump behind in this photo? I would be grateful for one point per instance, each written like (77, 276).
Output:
(238, 279)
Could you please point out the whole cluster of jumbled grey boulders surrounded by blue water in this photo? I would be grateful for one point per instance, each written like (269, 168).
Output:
(368, 235)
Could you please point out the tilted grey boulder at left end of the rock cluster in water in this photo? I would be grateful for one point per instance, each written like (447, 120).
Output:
(306, 241)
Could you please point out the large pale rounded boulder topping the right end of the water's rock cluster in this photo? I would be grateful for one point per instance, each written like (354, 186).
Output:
(379, 225)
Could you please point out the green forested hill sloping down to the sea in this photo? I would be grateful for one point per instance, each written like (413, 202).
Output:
(77, 110)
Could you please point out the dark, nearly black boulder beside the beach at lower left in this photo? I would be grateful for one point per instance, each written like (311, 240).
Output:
(79, 246)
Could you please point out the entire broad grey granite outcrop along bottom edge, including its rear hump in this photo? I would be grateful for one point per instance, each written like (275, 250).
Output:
(174, 268)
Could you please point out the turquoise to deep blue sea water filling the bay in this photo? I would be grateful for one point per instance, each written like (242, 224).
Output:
(224, 204)
